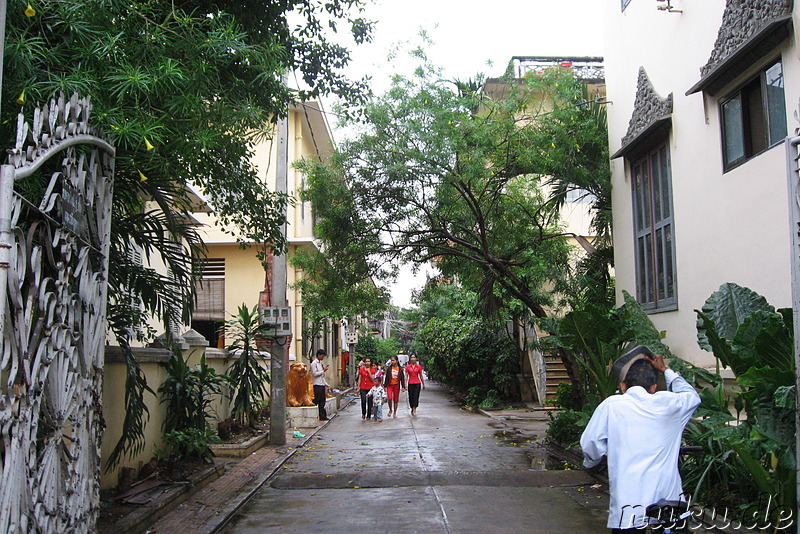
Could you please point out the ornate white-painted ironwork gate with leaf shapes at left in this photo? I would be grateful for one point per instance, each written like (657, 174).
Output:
(54, 243)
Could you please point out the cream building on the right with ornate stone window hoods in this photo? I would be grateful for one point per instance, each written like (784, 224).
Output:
(701, 96)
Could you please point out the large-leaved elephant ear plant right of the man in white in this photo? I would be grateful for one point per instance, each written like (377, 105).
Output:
(756, 341)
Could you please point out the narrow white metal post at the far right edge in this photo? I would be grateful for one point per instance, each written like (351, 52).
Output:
(793, 181)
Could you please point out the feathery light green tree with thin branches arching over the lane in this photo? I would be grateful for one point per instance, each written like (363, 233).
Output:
(443, 171)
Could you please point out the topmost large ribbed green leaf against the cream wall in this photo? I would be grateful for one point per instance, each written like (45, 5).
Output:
(727, 308)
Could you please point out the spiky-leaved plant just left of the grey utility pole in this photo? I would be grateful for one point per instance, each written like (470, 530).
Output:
(248, 374)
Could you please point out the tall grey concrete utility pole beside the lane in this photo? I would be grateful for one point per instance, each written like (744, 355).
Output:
(279, 360)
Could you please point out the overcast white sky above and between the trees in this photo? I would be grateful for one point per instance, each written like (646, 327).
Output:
(472, 37)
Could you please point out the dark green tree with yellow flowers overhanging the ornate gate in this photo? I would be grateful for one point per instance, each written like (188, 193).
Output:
(183, 89)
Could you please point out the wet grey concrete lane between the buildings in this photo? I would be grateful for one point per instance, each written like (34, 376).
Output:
(445, 471)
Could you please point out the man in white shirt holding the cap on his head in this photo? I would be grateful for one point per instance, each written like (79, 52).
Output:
(640, 434)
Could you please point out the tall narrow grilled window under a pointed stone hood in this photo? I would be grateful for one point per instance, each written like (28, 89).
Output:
(656, 287)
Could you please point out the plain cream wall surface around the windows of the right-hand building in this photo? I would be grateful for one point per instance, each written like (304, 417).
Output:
(730, 227)
